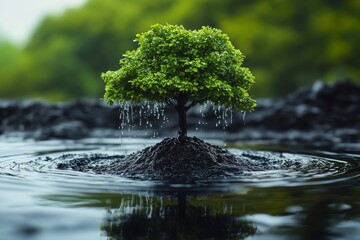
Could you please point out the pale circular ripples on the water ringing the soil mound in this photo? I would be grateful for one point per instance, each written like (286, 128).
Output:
(288, 169)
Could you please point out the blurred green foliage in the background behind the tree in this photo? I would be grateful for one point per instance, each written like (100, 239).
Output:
(288, 43)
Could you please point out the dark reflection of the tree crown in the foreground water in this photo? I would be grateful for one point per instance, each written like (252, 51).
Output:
(140, 217)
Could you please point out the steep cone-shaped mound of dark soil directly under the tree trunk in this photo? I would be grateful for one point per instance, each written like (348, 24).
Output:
(180, 158)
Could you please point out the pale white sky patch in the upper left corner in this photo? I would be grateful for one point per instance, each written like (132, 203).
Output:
(18, 18)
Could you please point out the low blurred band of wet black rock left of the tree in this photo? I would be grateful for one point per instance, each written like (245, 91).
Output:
(69, 120)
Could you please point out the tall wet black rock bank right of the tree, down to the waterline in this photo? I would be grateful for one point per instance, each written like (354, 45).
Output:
(324, 114)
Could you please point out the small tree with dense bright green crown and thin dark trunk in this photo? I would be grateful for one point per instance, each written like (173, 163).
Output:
(182, 68)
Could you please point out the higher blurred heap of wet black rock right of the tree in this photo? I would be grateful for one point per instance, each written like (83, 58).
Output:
(321, 106)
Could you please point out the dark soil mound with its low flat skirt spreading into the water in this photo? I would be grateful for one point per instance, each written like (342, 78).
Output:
(172, 158)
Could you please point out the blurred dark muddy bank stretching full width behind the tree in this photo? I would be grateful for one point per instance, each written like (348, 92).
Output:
(319, 113)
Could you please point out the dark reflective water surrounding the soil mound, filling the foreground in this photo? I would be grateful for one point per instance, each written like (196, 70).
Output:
(316, 202)
